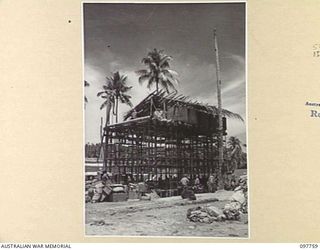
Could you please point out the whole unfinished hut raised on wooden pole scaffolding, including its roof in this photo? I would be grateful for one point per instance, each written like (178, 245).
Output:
(181, 141)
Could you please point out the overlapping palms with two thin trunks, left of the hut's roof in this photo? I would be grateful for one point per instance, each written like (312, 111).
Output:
(113, 91)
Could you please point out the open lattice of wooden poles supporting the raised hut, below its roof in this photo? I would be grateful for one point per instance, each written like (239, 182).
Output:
(147, 147)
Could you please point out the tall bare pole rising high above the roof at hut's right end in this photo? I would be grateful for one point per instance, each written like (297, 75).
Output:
(220, 129)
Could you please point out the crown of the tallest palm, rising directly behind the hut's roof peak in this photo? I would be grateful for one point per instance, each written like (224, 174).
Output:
(158, 71)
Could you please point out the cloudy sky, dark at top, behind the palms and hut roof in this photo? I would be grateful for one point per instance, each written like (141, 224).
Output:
(118, 36)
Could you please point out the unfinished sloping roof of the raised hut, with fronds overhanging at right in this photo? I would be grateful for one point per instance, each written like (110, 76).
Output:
(175, 99)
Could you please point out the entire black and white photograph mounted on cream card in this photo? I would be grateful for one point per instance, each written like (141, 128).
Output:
(165, 110)
